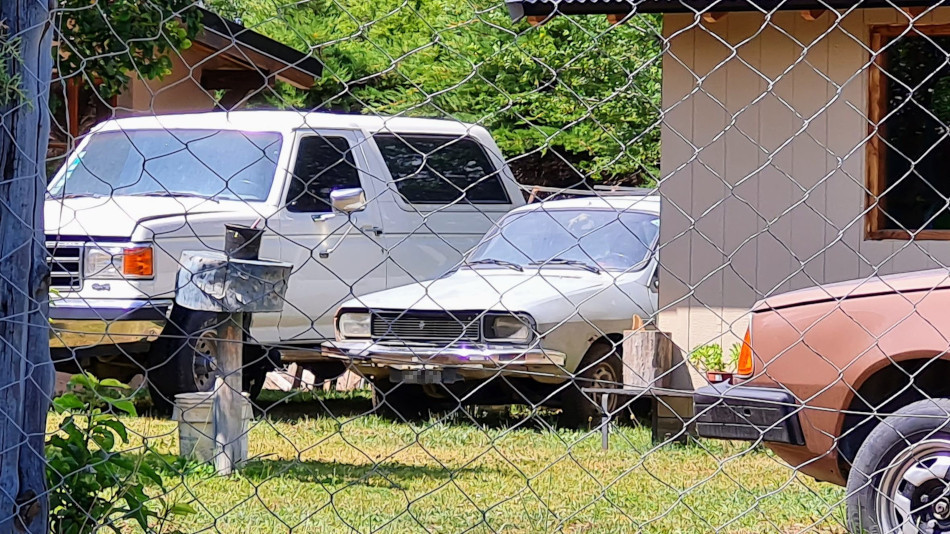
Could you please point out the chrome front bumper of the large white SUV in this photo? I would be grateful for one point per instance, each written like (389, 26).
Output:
(77, 322)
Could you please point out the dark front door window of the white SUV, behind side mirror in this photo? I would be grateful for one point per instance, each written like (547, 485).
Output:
(323, 164)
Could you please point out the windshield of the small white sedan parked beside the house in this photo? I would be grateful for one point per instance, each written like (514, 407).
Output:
(598, 239)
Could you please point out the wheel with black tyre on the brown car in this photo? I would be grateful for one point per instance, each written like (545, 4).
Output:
(898, 480)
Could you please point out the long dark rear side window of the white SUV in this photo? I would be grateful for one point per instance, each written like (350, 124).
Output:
(441, 169)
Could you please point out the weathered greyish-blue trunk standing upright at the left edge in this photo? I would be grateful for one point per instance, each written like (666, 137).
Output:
(26, 372)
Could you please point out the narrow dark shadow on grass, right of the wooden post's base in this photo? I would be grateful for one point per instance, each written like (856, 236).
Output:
(390, 475)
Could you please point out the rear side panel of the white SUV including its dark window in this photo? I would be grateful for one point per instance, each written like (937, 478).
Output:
(447, 191)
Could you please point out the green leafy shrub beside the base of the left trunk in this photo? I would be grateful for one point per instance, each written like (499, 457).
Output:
(94, 486)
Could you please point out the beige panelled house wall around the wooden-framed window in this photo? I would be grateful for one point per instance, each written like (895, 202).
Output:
(763, 165)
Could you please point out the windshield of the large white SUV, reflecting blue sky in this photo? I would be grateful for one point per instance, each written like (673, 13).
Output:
(219, 164)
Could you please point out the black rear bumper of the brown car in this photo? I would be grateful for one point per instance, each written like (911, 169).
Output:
(725, 411)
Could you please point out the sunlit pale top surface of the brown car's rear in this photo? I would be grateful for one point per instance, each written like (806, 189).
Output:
(876, 285)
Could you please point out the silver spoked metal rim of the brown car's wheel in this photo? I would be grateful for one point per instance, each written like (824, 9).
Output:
(914, 494)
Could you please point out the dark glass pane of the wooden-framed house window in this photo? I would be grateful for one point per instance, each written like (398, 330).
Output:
(916, 79)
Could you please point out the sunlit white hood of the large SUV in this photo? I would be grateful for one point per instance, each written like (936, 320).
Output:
(119, 216)
